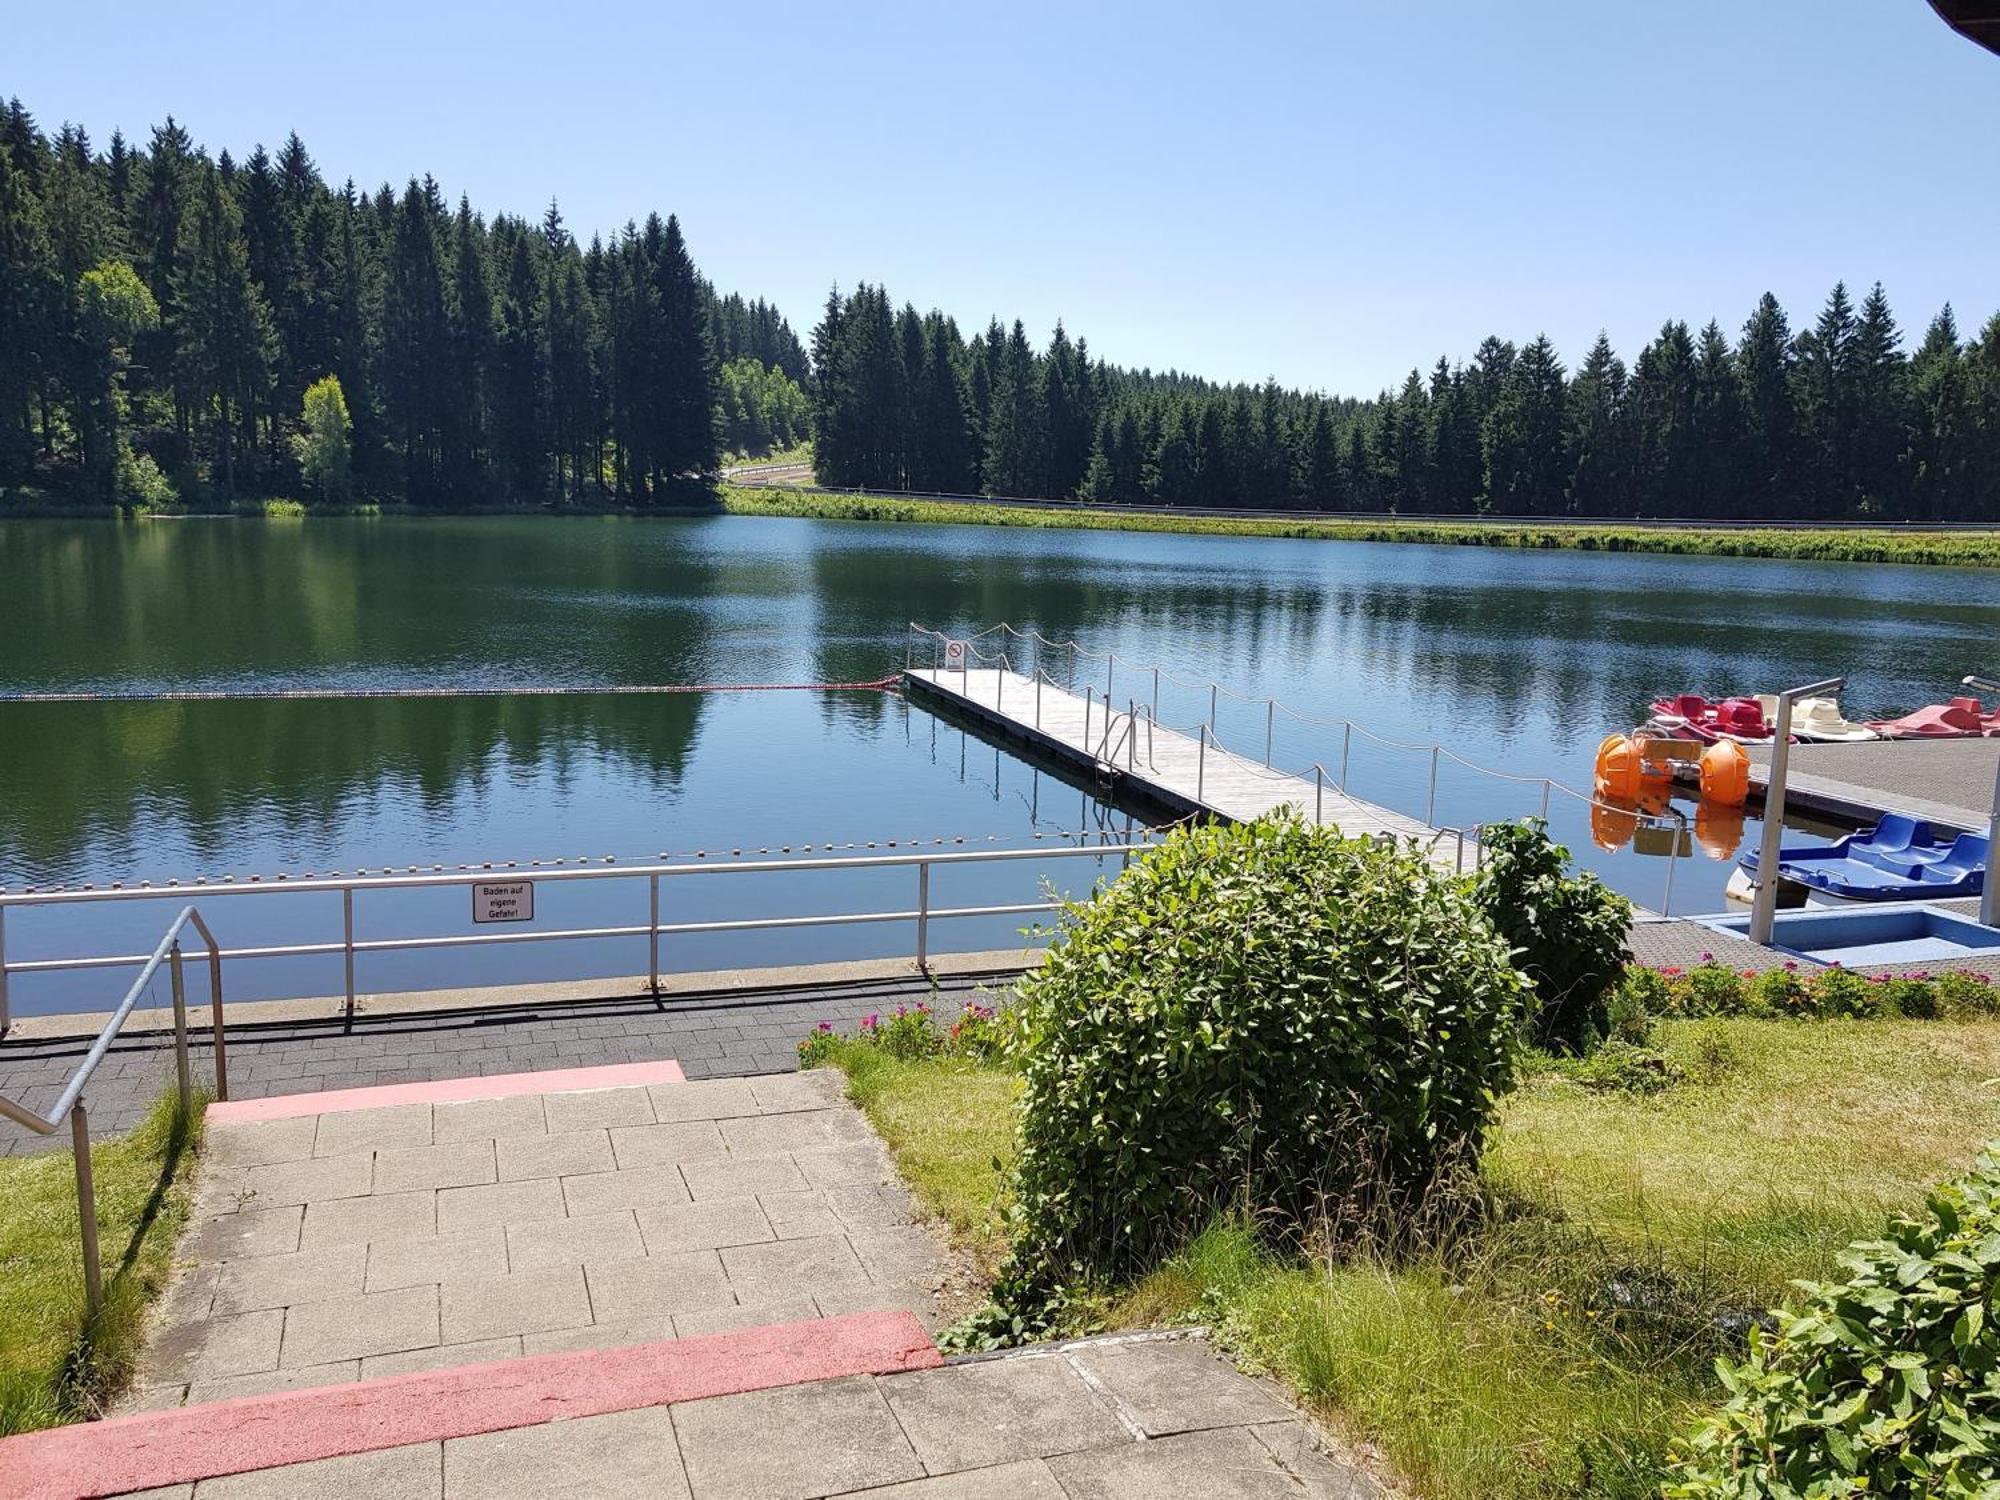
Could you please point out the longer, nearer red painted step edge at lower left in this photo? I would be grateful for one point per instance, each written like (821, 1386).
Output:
(201, 1443)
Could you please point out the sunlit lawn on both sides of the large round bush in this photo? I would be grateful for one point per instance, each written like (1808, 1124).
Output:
(1559, 1349)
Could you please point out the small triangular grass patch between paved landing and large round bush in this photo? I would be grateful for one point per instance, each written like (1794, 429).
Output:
(951, 1127)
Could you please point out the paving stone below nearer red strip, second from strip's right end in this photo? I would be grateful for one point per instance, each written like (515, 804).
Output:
(793, 1443)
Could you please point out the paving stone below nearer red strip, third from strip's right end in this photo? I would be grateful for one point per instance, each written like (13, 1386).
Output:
(611, 1457)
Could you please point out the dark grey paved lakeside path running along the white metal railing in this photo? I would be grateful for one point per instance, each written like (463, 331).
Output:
(711, 1039)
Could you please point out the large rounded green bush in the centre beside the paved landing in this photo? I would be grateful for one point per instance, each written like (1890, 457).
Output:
(1267, 1017)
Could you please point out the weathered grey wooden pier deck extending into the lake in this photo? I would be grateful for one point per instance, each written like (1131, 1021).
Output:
(1159, 765)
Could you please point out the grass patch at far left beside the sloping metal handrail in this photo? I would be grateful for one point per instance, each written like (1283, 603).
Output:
(55, 1363)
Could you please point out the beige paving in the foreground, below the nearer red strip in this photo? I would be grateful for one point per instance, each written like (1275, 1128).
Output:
(1095, 1421)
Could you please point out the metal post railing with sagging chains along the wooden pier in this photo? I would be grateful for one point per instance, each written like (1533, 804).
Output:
(1075, 653)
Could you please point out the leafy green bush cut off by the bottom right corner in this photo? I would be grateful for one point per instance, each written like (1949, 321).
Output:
(1885, 1385)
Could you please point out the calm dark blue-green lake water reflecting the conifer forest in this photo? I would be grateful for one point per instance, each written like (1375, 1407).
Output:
(1523, 661)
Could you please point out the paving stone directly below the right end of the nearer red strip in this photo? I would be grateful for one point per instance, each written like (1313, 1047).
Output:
(977, 1415)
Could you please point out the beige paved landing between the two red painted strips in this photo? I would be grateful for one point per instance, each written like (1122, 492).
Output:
(357, 1243)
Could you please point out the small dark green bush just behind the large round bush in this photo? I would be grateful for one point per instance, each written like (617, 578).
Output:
(1569, 931)
